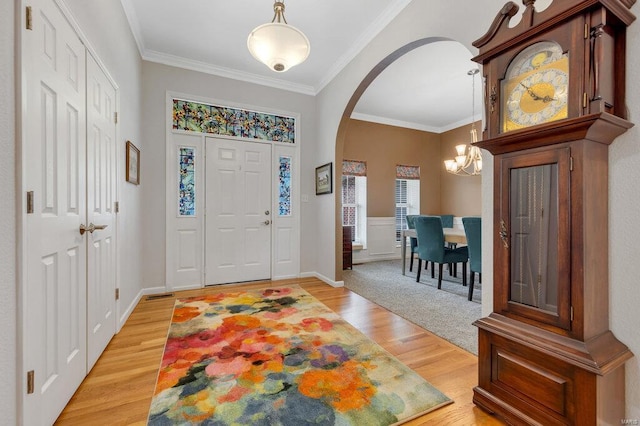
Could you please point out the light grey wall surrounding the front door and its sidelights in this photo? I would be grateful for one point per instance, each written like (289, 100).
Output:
(157, 80)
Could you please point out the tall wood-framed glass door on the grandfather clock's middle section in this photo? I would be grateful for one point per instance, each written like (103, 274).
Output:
(535, 210)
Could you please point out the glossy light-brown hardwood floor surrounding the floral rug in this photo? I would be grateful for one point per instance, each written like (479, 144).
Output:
(118, 389)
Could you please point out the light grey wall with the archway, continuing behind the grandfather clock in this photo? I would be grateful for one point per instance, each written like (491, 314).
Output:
(465, 22)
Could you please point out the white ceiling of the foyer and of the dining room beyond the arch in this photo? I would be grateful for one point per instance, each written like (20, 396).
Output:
(210, 36)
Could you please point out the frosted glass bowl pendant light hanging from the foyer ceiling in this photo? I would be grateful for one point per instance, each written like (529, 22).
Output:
(278, 45)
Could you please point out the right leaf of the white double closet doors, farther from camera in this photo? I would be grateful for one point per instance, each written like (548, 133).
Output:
(101, 193)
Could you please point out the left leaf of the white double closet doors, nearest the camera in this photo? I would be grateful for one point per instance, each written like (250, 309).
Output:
(53, 158)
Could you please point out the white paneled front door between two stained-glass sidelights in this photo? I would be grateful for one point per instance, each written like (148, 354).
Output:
(238, 211)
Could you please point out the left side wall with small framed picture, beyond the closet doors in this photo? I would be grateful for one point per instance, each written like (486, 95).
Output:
(105, 25)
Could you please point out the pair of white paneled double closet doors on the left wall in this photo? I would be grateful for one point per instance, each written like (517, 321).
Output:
(69, 181)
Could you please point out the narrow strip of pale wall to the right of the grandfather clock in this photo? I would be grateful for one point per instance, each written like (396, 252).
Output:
(624, 229)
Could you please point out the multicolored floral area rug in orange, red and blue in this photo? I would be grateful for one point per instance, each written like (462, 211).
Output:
(278, 356)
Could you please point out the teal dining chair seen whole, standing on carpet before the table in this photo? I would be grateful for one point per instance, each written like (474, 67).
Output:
(431, 248)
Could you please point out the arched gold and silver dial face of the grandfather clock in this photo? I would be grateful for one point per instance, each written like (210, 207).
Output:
(535, 88)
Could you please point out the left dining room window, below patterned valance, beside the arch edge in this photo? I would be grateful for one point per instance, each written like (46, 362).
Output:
(354, 206)
